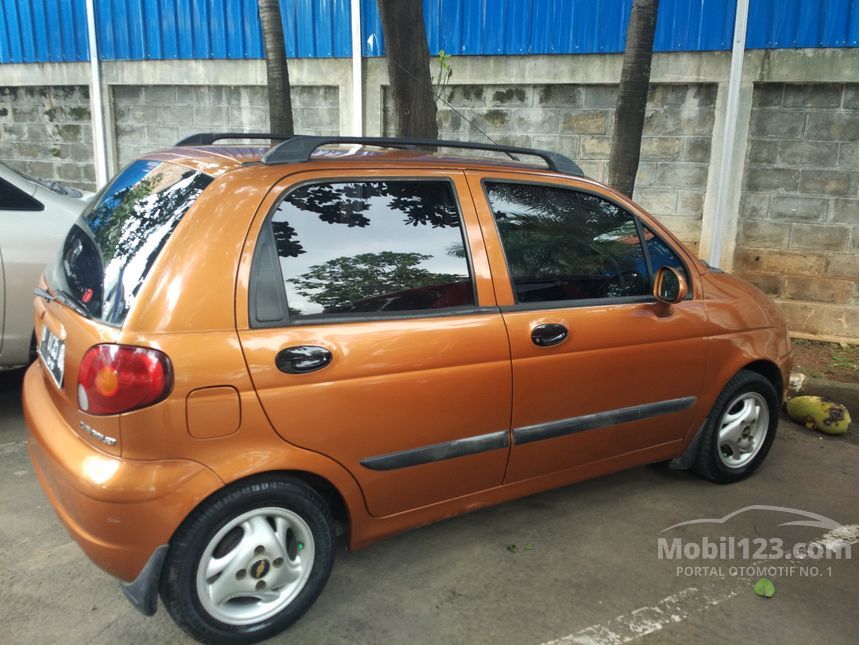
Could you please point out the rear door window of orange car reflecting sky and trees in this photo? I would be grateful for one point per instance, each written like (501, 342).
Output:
(372, 247)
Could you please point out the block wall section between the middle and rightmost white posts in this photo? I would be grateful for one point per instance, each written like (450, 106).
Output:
(578, 120)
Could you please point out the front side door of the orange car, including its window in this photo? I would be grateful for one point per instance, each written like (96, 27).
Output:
(598, 374)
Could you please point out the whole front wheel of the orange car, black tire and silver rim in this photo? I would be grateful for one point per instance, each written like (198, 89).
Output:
(739, 430)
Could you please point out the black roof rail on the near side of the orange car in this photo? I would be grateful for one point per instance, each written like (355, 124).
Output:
(300, 148)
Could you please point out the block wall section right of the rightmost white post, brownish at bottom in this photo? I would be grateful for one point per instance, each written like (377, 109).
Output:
(797, 233)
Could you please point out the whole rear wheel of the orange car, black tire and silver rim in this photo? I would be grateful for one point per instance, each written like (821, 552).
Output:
(249, 562)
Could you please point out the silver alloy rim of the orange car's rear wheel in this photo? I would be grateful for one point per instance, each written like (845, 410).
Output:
(255, 565)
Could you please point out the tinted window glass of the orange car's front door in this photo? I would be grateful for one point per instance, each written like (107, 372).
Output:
(564, 244)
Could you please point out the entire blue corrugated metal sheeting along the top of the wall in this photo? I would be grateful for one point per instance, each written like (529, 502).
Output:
(55, 30)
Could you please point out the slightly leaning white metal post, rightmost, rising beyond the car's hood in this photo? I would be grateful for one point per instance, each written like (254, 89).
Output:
(731, 124)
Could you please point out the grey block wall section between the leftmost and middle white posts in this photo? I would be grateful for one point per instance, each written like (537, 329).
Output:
(154, 116)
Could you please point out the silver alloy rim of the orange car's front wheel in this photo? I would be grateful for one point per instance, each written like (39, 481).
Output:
(743, 429)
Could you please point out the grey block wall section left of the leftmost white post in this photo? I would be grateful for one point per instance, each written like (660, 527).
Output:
(45, 131)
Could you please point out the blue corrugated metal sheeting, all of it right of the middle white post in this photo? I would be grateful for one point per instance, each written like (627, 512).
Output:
(517, 27)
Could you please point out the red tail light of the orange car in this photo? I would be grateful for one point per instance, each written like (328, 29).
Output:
(118, 378)
